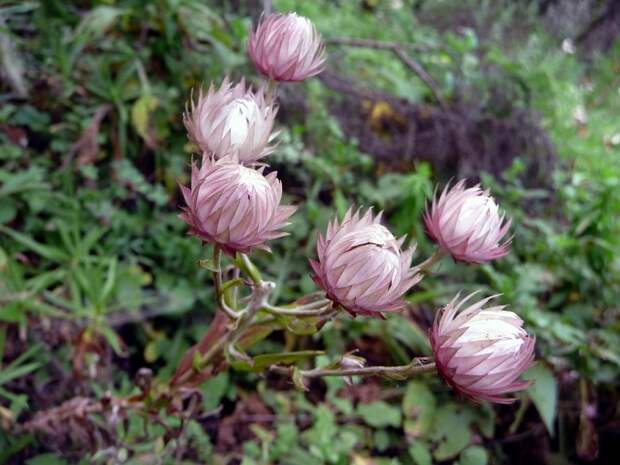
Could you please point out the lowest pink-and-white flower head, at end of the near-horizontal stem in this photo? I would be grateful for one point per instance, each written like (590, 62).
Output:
(481, 352)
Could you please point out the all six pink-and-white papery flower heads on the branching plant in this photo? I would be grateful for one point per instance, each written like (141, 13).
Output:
(480, 350)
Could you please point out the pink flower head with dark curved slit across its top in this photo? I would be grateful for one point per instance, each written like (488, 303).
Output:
(361, 265)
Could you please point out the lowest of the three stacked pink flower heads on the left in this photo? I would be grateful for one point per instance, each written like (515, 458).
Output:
(234, 206)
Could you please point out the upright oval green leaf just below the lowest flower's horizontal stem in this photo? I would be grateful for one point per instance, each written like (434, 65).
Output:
(418, 407)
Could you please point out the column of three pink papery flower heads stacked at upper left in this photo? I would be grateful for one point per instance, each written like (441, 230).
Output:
(229, 202)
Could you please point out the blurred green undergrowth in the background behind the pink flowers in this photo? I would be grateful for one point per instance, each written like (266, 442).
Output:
(98, 279)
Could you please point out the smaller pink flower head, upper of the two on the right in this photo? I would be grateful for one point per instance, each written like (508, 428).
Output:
(467, 224)
